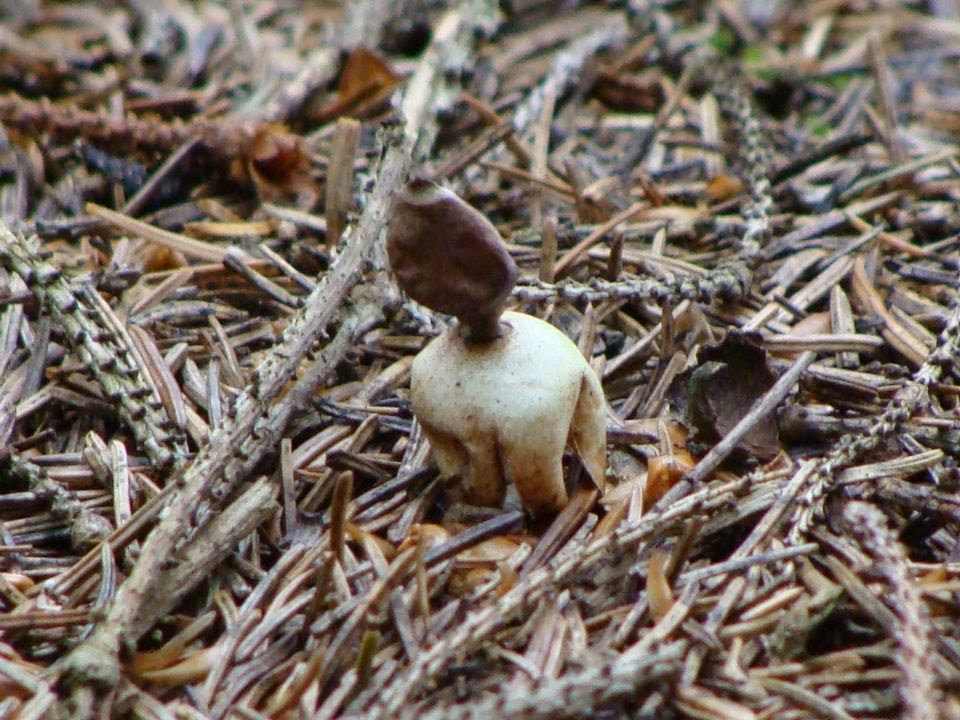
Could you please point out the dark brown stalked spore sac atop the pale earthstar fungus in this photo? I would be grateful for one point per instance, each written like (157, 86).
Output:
(447, 256)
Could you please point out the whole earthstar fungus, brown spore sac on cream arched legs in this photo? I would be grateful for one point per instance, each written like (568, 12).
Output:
(499, 395)
